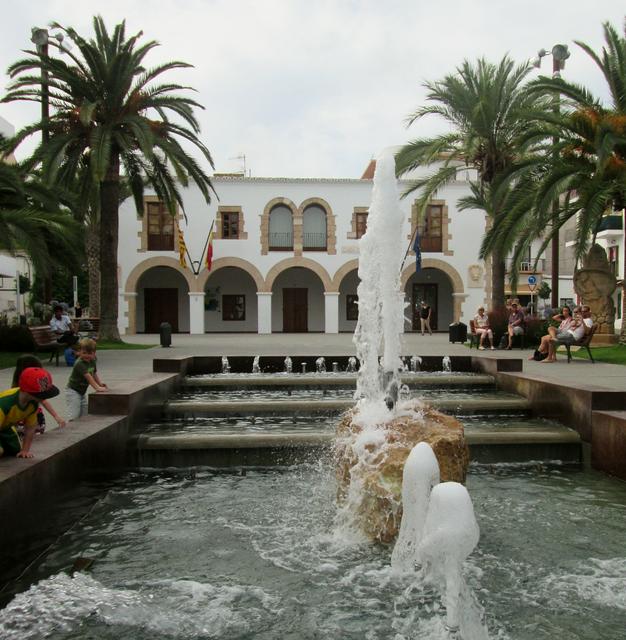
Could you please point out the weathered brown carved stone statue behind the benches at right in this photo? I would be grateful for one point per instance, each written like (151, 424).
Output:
(595, 283)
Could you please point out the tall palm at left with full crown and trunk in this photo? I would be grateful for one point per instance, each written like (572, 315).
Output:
(112, 112)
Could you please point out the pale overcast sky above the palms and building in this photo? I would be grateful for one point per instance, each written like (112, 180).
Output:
(317, 89)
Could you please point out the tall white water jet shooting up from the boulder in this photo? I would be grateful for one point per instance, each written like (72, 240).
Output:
(381, 313)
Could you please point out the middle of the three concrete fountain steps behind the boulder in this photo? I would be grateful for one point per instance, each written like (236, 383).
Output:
(334, 406)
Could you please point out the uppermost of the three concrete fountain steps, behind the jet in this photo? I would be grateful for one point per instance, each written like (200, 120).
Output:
(317, 381)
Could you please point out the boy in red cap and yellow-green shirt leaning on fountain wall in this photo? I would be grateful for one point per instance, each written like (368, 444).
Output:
(20, 405)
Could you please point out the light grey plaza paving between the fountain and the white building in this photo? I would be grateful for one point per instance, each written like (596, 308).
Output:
(119, 367)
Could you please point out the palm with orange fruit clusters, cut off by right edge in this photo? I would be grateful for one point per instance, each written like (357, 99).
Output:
(586, 168)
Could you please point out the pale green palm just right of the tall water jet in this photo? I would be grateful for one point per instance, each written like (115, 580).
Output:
(482, 104)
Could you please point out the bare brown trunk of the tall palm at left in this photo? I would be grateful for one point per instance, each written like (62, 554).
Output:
(109, 234)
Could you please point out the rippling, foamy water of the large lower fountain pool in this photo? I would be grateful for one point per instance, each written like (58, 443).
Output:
(258, 554)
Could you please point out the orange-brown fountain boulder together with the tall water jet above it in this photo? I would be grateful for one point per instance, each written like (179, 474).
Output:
(375, 438)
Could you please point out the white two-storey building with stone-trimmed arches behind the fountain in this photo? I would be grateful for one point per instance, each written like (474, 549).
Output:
(285, 258)
